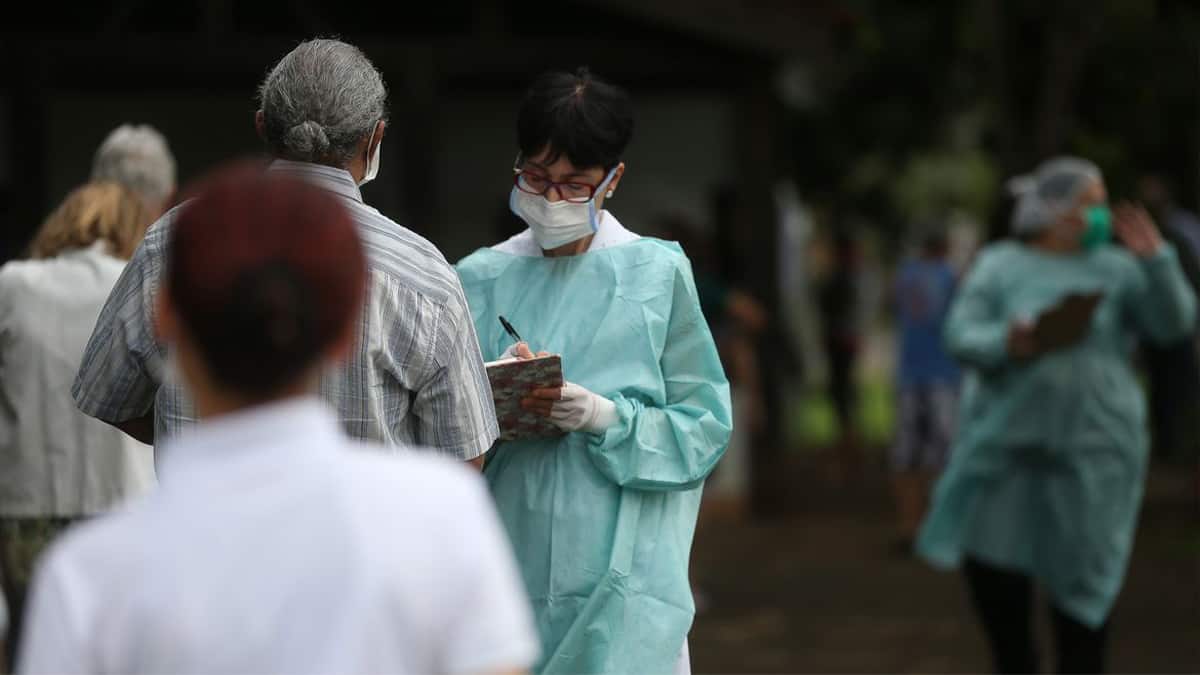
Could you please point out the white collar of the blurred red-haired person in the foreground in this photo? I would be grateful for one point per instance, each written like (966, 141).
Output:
(296, 426)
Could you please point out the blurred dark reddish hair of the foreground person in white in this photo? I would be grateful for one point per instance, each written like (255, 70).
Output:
(266, 274)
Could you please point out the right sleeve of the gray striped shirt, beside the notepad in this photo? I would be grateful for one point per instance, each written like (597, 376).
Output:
(454, 403)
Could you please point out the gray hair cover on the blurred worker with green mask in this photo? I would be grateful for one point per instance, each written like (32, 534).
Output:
(1043, 196)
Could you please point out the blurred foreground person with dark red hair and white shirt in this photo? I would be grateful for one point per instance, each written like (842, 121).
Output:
(275, 543)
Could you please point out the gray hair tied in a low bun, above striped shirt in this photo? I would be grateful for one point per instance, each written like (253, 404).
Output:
(321, 101)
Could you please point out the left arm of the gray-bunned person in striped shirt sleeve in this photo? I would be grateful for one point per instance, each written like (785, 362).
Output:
(118, 377)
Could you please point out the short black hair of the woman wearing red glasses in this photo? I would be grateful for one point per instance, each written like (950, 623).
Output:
(579, 116)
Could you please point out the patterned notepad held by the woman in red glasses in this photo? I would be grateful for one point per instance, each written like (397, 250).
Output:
(512, 381)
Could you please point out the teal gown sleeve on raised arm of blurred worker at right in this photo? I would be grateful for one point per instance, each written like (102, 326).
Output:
(1161, 300)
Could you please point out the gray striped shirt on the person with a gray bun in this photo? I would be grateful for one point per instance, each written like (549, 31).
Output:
(417, 378)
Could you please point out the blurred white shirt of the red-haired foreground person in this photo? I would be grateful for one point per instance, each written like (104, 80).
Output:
(277, 545)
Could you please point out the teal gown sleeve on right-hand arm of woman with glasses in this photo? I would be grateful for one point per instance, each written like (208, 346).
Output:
(674, 446)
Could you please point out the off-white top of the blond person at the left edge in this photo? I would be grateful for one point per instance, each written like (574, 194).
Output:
(57, 461)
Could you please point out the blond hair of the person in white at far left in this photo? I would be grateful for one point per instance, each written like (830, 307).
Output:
(97, 212)
